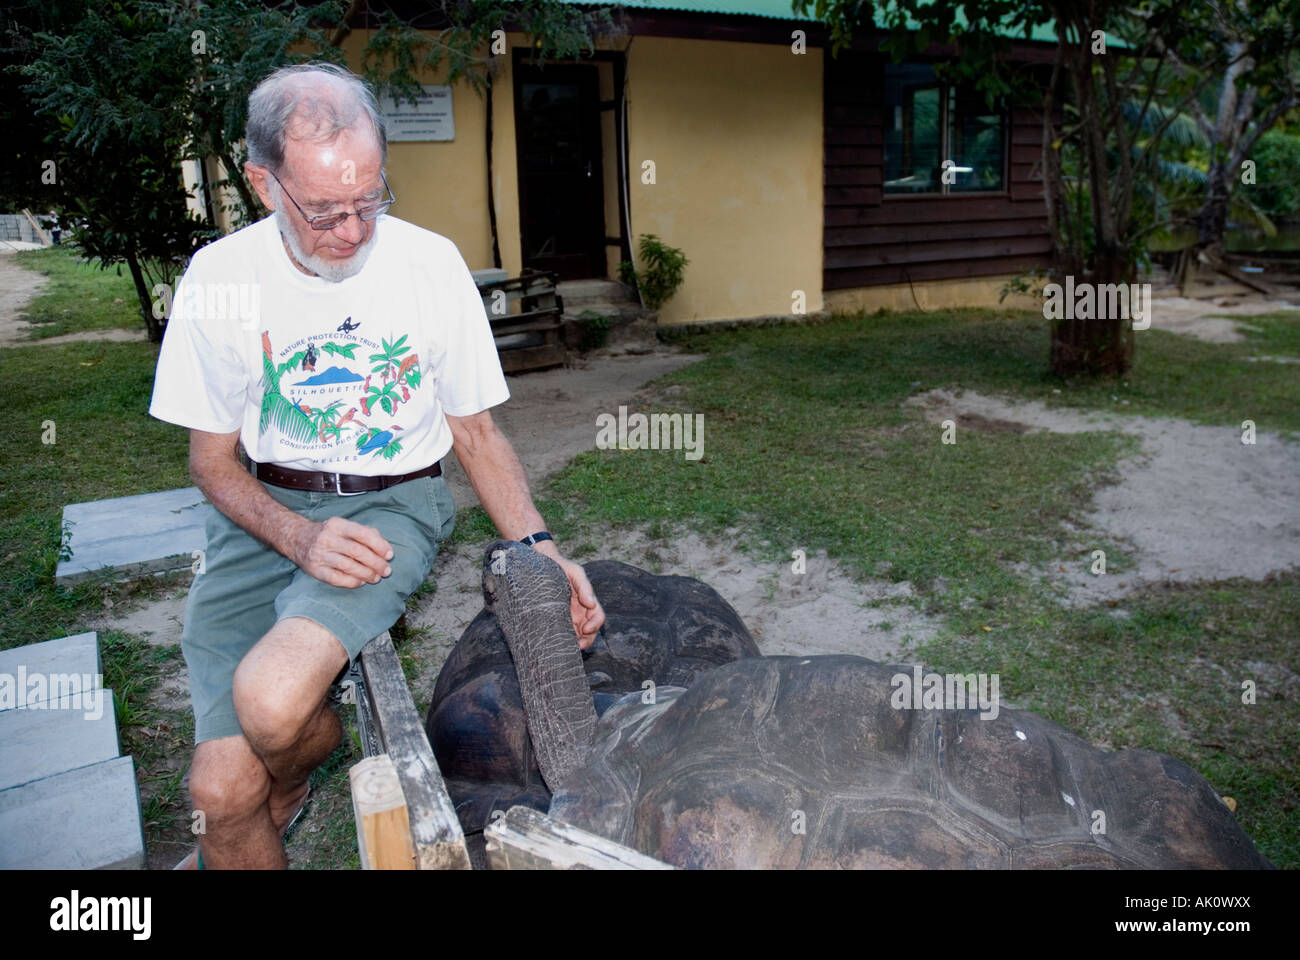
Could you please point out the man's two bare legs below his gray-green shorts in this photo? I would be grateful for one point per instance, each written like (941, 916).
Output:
(250, 786)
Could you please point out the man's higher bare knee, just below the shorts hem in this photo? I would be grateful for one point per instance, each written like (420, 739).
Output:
(281, 685)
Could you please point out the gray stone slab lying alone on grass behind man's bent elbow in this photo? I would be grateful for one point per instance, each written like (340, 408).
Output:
(131, 537)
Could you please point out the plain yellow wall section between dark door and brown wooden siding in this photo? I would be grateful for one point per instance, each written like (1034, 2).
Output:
(735, 135)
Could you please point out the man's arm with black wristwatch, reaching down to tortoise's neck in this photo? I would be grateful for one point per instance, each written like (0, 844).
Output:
(499, 479)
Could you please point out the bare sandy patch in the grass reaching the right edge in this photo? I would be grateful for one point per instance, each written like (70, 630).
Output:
(1197, 504)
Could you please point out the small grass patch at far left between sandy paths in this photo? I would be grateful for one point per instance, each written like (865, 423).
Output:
(80, 297)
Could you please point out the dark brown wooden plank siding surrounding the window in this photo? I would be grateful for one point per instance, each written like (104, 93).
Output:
(872, 239)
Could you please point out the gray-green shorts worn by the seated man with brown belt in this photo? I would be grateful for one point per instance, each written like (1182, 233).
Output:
(246, 587)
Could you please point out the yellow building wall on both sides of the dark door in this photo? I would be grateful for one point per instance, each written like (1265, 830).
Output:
(735, 132)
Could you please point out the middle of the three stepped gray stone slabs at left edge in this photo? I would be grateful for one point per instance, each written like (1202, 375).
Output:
(72, 732)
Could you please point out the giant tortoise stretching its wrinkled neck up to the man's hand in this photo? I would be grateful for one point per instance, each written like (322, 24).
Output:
(808, 763)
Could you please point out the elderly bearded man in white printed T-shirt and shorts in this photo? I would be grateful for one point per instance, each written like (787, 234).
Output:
(348, 353)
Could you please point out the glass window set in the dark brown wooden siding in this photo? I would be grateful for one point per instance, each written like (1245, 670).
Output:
(928, 124)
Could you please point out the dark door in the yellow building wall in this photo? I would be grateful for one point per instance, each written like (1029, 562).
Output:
(561, 187)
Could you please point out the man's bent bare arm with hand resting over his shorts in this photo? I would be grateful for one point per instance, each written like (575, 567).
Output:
(339, 552)
